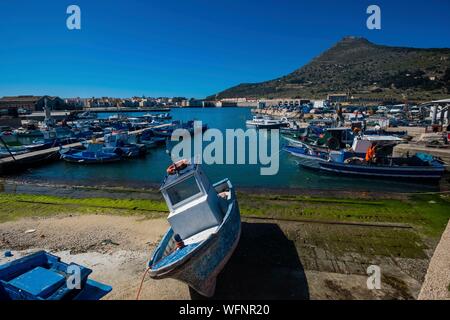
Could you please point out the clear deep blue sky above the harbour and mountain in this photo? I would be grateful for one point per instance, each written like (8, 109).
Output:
(190, 48)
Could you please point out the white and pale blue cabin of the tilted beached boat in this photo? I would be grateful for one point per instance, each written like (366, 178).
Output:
(193, 203)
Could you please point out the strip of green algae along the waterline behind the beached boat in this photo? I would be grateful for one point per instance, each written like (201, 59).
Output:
(428, 213)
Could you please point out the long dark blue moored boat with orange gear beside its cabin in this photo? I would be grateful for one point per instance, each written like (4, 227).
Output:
(370, 157)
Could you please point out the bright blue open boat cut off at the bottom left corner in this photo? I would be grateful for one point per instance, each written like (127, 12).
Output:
(43, 276)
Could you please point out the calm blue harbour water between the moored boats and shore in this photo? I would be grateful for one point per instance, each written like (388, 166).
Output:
(150, 169)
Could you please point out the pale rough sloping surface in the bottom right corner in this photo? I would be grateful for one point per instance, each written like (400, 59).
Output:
(437, 281)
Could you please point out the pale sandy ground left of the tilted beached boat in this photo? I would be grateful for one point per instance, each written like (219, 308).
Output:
(97, 242)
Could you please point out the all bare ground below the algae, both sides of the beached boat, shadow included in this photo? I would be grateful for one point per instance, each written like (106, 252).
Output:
(274, 260)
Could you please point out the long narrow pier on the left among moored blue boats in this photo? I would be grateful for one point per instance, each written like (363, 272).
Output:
(28, 159)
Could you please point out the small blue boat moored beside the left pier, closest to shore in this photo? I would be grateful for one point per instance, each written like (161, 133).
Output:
(93, 154)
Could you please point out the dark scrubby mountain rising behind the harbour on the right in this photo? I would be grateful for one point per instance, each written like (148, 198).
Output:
(361, 68)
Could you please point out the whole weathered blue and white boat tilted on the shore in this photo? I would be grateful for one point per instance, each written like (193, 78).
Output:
(205, 228)
